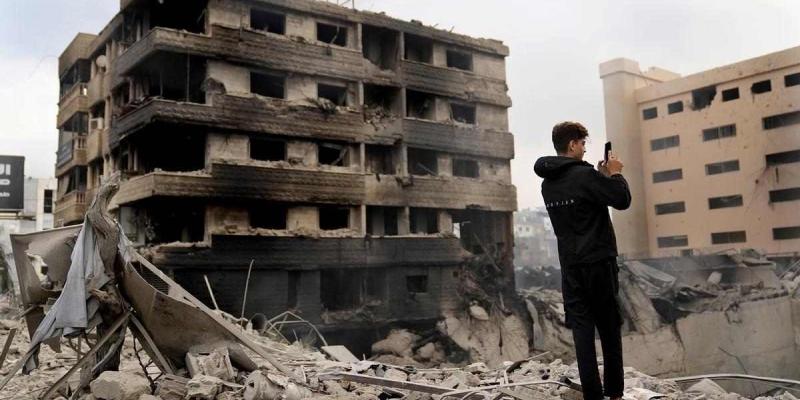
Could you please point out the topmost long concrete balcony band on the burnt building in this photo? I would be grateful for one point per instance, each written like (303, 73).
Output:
(285, 54)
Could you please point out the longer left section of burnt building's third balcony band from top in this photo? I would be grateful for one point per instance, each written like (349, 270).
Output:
(247, 182)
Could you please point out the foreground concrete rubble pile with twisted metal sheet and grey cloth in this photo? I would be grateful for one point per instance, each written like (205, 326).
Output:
(104, 323)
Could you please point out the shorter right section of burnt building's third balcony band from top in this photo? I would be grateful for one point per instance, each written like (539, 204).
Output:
(440, 192)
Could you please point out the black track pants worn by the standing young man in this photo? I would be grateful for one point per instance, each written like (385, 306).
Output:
(591, 301)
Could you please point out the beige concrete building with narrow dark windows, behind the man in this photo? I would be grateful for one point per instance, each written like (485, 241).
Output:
(713, 158)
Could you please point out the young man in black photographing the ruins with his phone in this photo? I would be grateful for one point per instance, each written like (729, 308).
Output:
(577, 198)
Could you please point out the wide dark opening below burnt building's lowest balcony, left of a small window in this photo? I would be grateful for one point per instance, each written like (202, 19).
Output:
(347, 289)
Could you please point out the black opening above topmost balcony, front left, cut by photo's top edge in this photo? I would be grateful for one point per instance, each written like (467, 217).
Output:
(179, 15)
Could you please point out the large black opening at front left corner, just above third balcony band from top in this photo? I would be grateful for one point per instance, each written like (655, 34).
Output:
(184, 149)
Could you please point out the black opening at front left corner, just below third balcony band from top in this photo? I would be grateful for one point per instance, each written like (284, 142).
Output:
(175, 221)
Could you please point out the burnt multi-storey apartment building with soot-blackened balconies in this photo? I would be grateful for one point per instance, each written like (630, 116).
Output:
(357, 160)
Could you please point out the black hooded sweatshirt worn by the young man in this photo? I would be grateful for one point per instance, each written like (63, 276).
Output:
(577, 198)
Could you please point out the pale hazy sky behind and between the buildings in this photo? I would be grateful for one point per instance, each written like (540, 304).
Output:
(556, 47)
